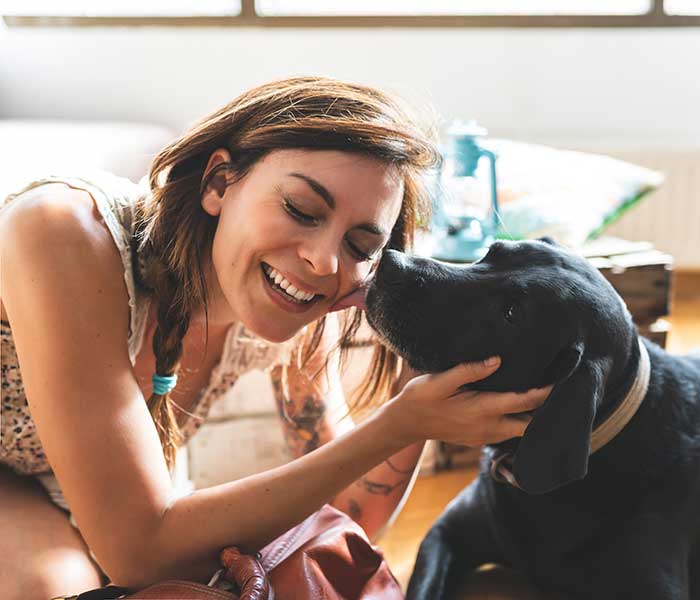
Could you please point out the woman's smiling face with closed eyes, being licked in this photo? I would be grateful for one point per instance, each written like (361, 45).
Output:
(311, 222)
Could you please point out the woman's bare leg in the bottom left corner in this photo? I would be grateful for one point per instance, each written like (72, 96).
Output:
(43, 555)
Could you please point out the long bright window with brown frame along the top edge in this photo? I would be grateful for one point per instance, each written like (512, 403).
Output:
(356, 13)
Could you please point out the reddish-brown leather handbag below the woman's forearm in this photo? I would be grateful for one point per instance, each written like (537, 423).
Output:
(326, 556)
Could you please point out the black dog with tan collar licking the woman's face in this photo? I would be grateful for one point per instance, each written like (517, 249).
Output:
(617, 522)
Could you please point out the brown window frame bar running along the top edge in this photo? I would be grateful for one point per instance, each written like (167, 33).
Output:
(656, 17)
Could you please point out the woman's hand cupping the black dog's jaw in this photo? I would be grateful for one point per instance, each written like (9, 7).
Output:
(430, 406)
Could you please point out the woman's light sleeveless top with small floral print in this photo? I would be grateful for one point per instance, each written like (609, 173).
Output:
(20, 446)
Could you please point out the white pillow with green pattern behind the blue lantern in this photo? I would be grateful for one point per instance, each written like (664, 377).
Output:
(568, 195)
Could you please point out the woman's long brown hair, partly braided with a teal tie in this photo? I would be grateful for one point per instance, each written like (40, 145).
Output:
(176, 234)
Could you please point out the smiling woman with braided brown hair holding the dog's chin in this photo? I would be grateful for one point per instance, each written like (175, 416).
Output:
(259, 223)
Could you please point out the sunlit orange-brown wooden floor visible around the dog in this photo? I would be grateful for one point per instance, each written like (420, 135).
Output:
(431, 494)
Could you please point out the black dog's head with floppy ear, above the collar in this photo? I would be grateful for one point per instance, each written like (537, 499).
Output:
(549, 315)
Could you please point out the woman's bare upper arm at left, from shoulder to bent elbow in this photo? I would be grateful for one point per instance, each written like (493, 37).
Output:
(64, 292)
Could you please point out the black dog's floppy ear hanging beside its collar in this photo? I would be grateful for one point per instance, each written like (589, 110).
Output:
(555, 448)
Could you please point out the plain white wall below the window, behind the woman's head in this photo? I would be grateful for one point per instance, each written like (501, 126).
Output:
(633, 84)
